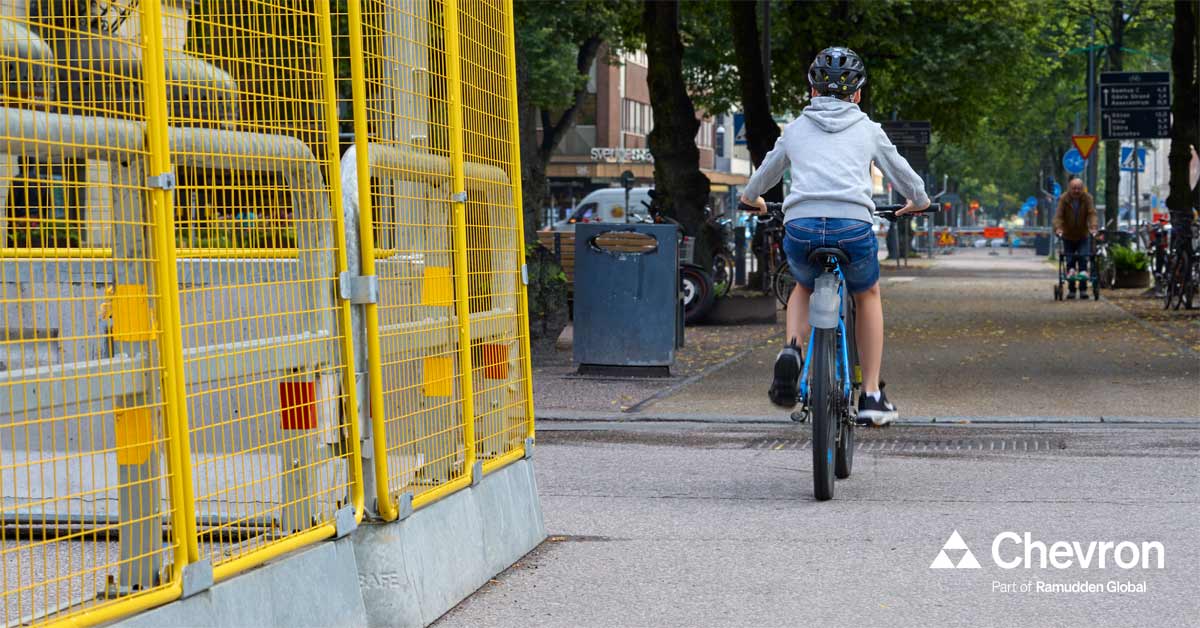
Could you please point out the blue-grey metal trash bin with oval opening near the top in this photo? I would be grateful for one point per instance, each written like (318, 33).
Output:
(627, 298)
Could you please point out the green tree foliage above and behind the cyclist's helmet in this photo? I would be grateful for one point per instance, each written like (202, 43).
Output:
(997, 79)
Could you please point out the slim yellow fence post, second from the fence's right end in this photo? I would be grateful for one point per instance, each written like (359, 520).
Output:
(463, 300)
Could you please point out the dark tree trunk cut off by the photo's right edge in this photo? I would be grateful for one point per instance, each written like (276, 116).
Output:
(1186, 99)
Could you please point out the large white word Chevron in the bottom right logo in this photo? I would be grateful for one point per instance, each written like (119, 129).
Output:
(1010, 551)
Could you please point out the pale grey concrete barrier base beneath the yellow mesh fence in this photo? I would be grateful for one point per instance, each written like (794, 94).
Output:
(399, 575)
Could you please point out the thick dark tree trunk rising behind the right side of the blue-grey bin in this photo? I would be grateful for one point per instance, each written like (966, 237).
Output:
(682, 189)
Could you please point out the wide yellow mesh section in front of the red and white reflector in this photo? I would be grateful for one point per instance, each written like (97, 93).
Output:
(256, 226)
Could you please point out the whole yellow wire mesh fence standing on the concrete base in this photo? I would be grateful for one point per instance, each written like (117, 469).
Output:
(195, 286)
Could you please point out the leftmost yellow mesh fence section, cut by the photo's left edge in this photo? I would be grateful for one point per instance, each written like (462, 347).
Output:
(85, 475)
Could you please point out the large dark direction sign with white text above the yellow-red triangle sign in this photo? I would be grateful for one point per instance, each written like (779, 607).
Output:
(1136, 105)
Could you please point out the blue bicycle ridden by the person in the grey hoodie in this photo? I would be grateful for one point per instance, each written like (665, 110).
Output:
(832, 378)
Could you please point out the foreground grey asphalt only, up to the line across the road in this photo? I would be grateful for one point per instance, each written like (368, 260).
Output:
(716, 525)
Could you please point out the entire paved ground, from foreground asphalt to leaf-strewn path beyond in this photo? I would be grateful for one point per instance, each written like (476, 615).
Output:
(1070, 422)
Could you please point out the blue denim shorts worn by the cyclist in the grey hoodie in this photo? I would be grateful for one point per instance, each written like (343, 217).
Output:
(854, 237)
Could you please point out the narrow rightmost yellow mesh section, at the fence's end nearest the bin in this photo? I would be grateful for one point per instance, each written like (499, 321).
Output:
(494, 230)
